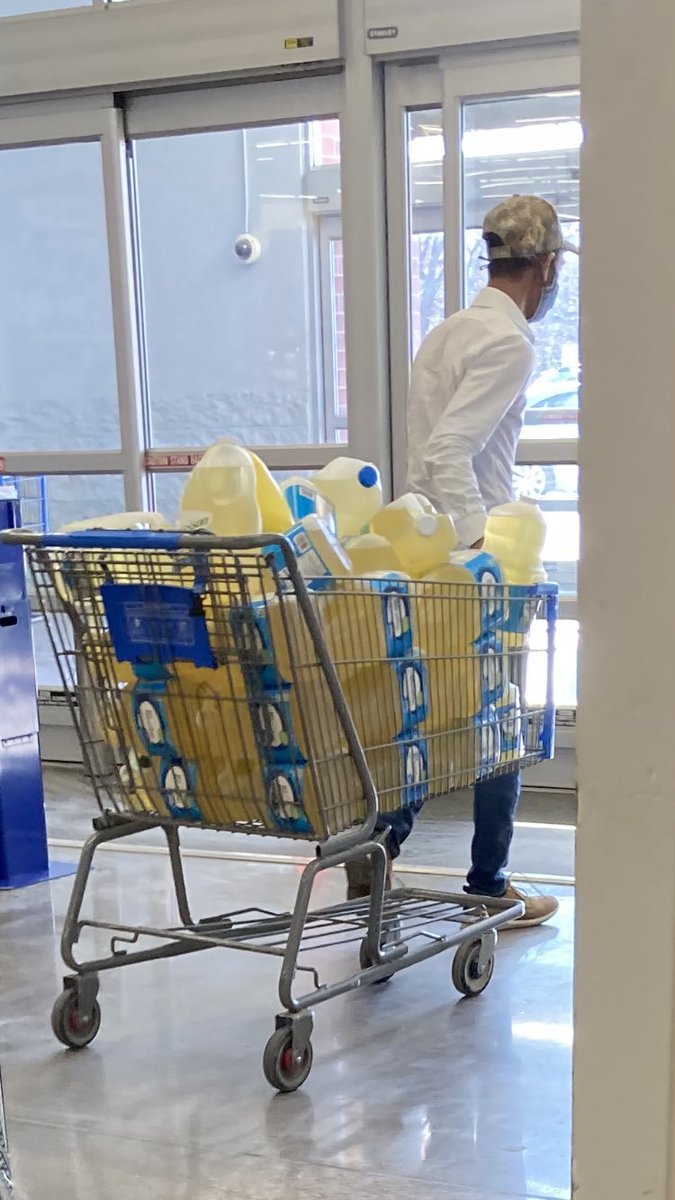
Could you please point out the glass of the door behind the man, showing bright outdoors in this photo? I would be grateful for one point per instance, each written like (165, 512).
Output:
(530, 145)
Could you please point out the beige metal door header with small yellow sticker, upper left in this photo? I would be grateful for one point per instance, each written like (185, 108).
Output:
(129, 45)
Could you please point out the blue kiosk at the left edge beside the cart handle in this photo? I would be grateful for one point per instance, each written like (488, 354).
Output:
(23, 832)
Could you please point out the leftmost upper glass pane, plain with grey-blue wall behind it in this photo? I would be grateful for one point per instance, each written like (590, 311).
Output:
(58, 382)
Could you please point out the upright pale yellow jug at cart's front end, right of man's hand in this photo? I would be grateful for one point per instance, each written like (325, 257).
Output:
(516, 536)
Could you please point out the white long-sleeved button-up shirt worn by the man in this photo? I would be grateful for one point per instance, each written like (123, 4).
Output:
(467, 407)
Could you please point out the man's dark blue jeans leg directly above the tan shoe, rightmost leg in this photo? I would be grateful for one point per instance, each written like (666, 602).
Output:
(495, 802)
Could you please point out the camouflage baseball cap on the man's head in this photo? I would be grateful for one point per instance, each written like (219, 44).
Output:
(523, 227)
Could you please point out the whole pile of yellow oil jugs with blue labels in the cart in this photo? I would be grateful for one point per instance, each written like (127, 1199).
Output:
(423, 637)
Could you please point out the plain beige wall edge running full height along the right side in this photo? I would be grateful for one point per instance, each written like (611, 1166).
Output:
(625, 1045)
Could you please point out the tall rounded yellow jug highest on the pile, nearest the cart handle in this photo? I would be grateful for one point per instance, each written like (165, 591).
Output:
(224, 485)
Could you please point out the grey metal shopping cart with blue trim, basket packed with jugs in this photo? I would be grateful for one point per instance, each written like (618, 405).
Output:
(218, 689)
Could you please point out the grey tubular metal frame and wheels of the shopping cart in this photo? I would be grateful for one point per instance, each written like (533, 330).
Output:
(391, 931)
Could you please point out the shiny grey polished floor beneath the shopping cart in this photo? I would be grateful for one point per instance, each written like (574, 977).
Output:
(415, 1093)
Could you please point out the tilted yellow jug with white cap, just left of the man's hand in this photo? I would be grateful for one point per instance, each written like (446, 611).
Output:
(421, 541)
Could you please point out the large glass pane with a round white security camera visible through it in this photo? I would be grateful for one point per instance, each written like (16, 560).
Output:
(231, 236)
